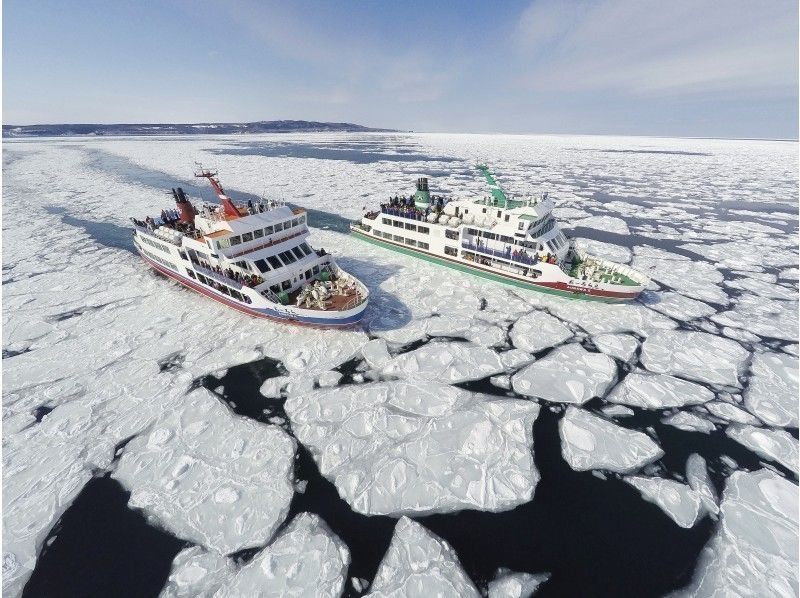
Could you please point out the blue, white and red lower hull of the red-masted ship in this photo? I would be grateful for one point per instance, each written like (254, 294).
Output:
(334, 319)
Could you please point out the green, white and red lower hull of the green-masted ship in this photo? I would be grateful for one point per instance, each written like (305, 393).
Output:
(553, 287)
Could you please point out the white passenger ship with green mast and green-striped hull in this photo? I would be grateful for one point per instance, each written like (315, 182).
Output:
(510, 240)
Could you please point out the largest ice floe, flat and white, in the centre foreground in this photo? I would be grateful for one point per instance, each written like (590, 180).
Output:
(419, 447)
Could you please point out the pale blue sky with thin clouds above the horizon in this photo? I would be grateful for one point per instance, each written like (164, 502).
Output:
(691, 68)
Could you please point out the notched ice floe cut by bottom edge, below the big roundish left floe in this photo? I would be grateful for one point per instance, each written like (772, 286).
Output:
(305, 559)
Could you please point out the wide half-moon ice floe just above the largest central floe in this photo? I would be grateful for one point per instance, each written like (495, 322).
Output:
(451, 362)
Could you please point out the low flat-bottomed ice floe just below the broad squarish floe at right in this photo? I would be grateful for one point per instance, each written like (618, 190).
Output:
(656, 391)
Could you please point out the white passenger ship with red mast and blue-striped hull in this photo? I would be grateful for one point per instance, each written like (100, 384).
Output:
(253, 258)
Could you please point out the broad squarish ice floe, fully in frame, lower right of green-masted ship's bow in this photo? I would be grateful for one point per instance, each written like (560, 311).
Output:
(696, 355)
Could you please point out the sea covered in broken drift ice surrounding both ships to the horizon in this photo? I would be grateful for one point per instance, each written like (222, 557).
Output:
(468, 439)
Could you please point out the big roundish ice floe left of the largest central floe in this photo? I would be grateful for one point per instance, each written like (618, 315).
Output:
(211, 477)
